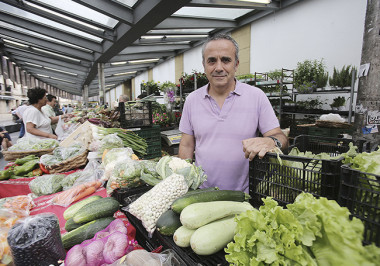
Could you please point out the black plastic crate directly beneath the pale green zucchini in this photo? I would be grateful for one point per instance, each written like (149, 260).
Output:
(188, 255)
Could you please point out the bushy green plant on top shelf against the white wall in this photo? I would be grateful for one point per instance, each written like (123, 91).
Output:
(308, 71)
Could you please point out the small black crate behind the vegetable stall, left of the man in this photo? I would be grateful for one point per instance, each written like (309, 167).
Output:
(135, 115)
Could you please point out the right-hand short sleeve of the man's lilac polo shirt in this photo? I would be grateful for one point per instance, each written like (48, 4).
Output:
(267, 116)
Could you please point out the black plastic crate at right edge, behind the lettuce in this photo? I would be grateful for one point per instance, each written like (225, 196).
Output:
(360, 193)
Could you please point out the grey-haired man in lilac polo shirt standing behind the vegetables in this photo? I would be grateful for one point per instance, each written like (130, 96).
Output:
(220, 120)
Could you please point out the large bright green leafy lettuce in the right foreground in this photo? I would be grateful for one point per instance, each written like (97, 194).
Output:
(310, 232)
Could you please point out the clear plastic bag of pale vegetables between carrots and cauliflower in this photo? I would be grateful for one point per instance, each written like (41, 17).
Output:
(125, 175)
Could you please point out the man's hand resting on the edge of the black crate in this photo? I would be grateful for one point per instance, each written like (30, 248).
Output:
(257, 146)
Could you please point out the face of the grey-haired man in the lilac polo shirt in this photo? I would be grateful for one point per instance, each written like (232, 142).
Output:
(219, 63)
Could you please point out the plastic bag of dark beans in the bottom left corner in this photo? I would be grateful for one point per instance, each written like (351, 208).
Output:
(36, 240)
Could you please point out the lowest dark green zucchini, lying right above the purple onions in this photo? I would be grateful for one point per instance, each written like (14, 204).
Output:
(84, 232)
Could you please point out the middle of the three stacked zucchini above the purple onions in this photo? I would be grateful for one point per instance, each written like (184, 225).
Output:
(100, 208)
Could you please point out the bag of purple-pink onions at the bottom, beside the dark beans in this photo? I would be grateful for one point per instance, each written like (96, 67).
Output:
(106, 246)
